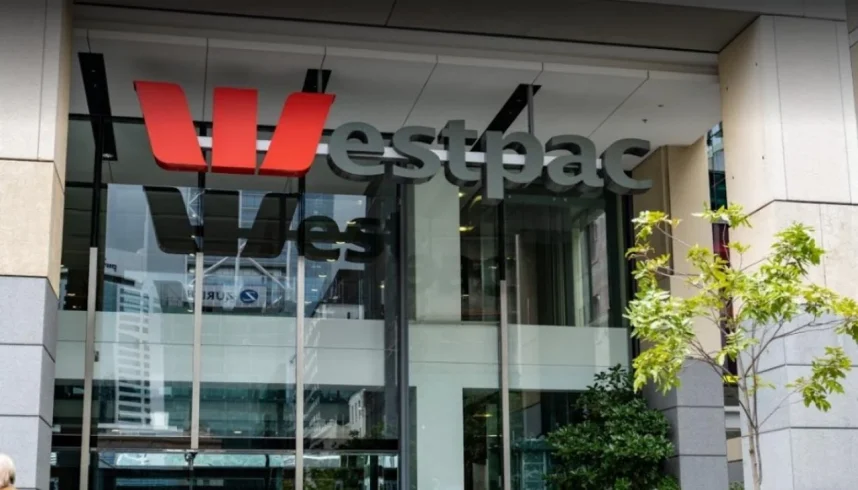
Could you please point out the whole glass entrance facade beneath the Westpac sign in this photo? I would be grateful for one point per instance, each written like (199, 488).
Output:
(322, 332)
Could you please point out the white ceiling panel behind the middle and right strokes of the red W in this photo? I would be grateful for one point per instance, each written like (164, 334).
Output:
(274, 70)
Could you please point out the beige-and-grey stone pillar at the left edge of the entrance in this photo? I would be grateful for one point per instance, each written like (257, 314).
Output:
(34, 90)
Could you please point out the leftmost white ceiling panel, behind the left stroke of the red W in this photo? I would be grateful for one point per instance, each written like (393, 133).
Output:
(128, 58)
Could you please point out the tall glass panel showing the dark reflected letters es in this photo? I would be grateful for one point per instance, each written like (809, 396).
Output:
(350, 331)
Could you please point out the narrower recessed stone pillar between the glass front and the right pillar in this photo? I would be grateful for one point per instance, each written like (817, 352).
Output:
(696, 411)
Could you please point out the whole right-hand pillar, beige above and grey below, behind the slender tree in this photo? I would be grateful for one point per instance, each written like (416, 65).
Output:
(791, 153)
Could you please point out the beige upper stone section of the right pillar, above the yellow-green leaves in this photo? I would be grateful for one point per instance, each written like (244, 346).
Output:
(791, 149)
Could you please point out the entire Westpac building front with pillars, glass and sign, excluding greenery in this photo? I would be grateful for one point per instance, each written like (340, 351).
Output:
(187, 301)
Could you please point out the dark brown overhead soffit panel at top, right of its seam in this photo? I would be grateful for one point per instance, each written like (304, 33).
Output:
(602, 21)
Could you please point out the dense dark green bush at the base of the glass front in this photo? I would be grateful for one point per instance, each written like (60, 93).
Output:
(618, 443)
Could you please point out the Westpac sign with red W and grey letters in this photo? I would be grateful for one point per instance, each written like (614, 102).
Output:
(357, 150)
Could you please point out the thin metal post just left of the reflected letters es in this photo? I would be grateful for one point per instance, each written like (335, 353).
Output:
(299, 344)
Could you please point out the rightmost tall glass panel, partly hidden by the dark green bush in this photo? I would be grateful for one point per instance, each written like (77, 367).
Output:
(560, 314)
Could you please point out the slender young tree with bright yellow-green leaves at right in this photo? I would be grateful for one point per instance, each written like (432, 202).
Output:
(769, 300)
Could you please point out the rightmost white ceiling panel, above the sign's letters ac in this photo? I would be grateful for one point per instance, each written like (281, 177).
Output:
(668, 109)
